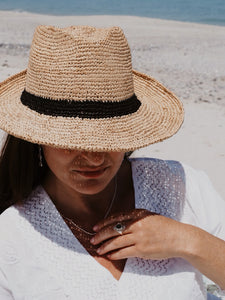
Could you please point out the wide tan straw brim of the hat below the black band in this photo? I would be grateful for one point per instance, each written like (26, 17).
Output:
(159, 117)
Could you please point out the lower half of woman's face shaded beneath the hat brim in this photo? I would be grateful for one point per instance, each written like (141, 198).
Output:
(85, 172)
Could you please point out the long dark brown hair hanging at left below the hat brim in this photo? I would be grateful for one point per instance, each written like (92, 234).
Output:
(20, 172)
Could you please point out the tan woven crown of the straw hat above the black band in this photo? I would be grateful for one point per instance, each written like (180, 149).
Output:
(80, 63)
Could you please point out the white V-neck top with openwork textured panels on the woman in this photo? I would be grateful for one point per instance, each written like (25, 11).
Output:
(41, 259)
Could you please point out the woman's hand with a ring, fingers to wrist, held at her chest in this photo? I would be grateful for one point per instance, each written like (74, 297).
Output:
(146, 235)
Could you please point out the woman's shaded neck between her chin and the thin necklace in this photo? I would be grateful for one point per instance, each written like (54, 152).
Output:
(81, 207)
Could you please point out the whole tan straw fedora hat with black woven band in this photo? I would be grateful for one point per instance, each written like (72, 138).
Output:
(80, 92)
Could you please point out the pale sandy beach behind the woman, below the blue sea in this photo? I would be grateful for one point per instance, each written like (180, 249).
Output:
(187, 58)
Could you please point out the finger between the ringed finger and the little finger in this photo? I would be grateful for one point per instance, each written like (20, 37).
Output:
(116, 243)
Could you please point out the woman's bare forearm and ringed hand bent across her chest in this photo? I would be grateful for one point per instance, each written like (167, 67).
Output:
(152, 236)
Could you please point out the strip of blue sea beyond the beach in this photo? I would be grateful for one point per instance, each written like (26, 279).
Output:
(200, 11)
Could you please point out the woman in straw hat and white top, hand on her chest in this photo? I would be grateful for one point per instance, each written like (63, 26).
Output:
(80, 219)
